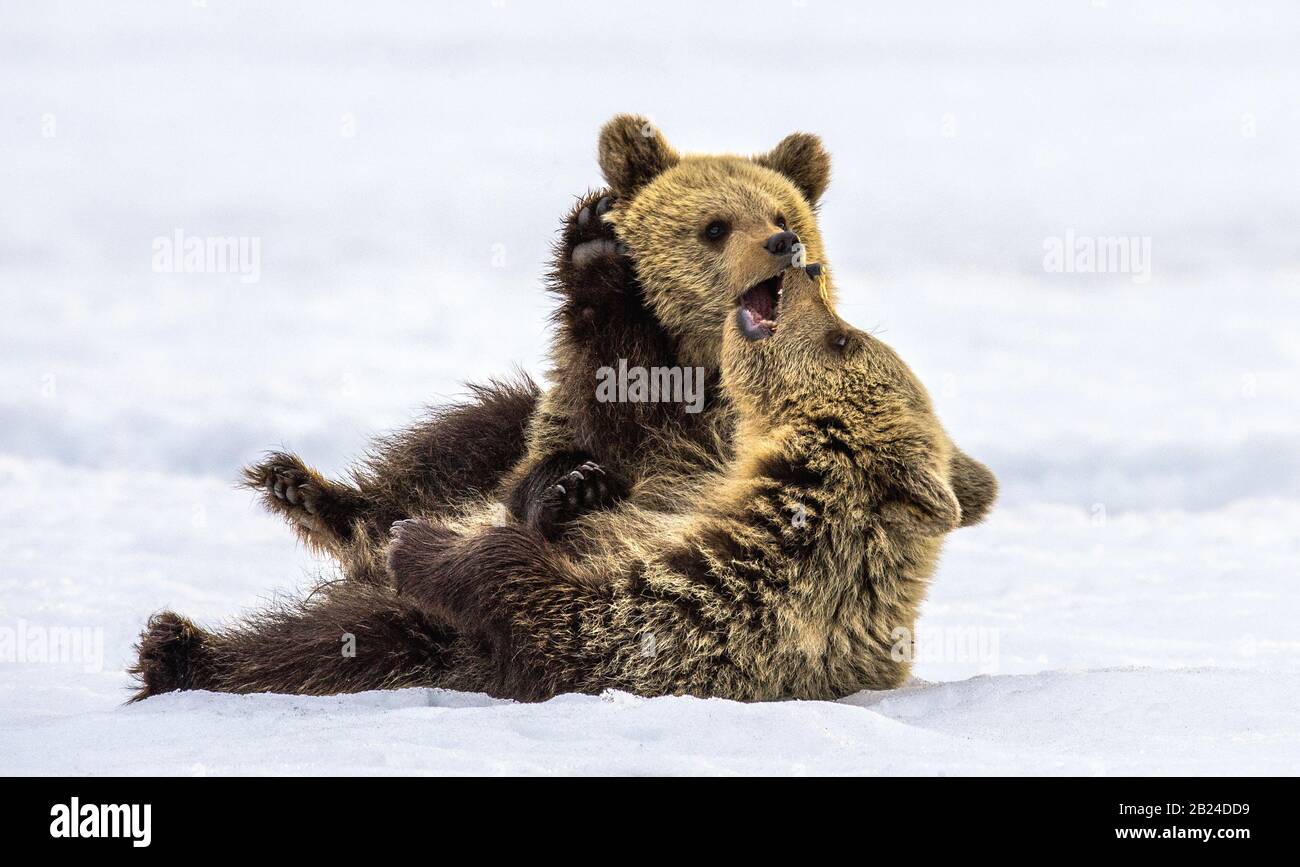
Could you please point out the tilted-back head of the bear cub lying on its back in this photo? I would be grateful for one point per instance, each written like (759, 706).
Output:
(825, 383)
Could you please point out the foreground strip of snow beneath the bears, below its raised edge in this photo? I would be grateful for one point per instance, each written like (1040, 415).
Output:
(1084, 723)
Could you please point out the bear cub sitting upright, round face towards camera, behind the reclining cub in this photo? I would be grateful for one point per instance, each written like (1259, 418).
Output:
(644, 272)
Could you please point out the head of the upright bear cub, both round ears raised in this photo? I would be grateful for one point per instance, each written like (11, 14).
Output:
(710, 233)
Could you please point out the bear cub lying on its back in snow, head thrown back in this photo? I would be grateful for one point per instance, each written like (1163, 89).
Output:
(734, 599)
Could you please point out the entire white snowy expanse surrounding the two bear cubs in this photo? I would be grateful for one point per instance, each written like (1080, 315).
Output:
(405, 167)
